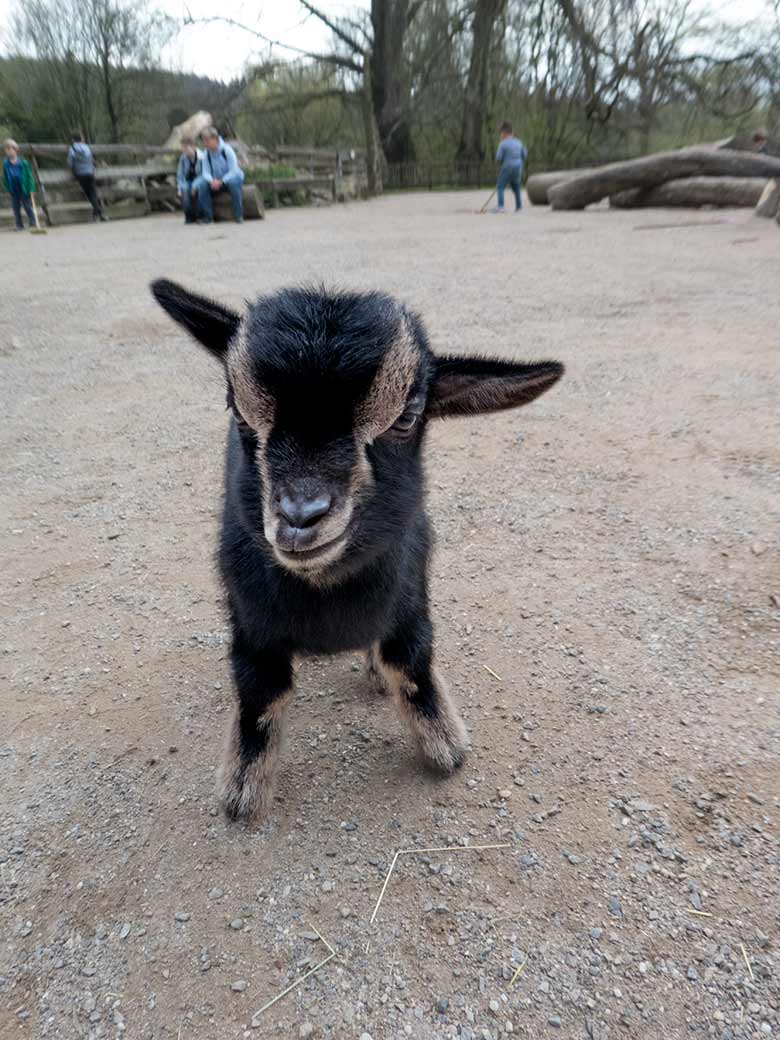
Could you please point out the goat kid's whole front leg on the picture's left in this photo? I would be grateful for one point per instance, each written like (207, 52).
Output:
(264, 682)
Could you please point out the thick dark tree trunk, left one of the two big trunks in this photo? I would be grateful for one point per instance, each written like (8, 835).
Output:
(391, 90)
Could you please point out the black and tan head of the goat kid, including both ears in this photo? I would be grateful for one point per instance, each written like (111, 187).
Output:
(331, 394)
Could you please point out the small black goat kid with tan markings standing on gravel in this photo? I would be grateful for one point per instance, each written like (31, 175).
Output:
(325, 540)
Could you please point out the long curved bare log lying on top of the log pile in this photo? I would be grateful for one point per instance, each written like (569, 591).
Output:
(653, 170)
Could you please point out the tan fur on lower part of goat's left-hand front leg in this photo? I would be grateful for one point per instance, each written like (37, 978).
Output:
(247, 789)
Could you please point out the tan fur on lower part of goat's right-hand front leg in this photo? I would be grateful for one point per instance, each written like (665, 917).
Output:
(443, 741)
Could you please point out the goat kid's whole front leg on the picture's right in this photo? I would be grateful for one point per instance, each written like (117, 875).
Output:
(406, 662)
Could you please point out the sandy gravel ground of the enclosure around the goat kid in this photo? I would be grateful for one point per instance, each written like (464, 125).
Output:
(610, 554)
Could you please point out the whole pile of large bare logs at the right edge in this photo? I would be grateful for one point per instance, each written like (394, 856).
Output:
(726, 174)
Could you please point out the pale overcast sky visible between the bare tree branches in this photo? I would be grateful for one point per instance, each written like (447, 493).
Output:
(221, 51)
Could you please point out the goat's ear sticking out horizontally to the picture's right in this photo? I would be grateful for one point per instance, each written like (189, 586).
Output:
(472, 386)
